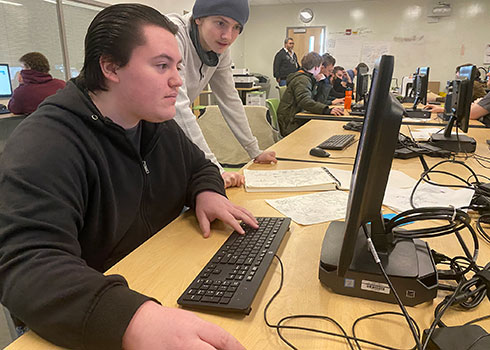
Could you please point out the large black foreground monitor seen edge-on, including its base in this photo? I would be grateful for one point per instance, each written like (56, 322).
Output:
(346, 265)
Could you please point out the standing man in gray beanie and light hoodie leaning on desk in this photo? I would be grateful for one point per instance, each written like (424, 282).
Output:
(204, 37)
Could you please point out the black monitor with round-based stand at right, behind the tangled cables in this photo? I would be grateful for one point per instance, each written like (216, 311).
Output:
(457, 110)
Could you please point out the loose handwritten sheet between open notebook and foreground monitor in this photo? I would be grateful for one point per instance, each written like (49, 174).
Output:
(313, 208)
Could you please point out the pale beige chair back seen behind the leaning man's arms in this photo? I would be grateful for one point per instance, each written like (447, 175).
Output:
(223, 143)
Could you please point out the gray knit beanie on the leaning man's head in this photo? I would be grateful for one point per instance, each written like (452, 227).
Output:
(235, 9)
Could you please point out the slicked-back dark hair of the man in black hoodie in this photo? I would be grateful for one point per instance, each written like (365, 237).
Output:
(114, 33)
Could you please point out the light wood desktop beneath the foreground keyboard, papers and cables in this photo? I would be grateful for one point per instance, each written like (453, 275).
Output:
(165, 265)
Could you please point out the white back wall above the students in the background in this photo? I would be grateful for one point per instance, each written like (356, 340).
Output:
(458, 39)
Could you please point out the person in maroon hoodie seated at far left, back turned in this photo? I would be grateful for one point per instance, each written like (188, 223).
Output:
(35, 84)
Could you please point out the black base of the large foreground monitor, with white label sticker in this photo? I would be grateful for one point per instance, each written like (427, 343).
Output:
(409, 265)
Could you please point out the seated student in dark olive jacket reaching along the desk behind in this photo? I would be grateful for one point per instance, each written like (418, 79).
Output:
(300, 94)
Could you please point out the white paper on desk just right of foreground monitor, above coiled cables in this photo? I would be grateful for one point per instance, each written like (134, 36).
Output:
(426, 195)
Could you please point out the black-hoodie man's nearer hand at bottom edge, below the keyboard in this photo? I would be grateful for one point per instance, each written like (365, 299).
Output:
(157, 327)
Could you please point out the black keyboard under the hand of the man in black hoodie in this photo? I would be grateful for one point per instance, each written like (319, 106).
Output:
(230, 280)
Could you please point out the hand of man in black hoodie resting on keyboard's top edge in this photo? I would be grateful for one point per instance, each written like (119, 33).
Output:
(211, 206)
